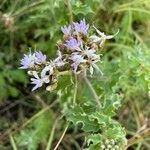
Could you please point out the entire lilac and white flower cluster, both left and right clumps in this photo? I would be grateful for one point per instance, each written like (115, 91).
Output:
(77, 50)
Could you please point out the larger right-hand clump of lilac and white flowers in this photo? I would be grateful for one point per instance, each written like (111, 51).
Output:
(80, 48)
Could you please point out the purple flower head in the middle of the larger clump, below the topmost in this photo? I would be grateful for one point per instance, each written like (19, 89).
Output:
(73, 44)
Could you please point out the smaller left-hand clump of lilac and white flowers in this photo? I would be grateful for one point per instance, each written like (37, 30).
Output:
(41, 70)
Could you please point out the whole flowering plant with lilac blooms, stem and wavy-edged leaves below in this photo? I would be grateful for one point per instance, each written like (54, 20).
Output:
(78, 52)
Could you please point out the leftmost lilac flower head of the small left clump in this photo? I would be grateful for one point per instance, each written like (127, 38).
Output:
(28, 61)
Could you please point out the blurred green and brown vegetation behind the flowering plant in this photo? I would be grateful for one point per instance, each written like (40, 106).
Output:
(28, 119)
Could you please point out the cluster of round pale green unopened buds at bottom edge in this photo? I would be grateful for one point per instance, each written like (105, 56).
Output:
(109, 145)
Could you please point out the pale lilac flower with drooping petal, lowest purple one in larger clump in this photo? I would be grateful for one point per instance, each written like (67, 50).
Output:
(77, 60)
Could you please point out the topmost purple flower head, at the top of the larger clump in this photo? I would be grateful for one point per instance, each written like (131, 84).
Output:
(81, 27)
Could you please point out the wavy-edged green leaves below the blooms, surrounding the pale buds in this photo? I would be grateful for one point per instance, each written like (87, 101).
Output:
(94, 120)
